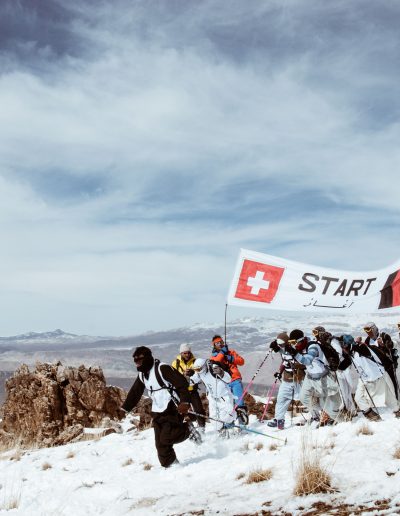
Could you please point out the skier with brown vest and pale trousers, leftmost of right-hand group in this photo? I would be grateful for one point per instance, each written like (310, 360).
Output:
(291, 373)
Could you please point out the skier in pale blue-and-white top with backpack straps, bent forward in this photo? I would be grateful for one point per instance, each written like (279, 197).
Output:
(319, 389)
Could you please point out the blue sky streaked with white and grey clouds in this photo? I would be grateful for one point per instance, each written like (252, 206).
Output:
(143, 143)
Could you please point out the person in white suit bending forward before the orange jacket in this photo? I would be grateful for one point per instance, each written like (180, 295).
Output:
(220, 398)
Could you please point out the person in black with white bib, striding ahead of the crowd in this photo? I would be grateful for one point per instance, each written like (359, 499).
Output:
(163, 383)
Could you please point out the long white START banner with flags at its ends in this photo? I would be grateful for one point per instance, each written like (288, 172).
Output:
(270, 282)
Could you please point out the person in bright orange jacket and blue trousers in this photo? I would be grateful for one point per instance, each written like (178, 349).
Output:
(230, 360)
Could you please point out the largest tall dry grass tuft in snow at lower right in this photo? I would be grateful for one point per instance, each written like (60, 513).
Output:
(311, 477)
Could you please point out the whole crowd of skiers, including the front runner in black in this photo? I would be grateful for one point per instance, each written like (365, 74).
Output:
(334, 377)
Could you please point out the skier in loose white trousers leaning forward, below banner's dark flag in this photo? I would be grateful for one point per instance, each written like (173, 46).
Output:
(375, 387)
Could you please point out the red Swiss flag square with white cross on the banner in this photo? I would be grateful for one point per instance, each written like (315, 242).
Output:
(258, 281)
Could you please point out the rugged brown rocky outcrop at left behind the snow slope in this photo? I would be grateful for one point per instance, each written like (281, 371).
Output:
(47, 405)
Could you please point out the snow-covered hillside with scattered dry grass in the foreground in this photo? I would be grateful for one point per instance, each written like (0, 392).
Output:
(120, 474)
